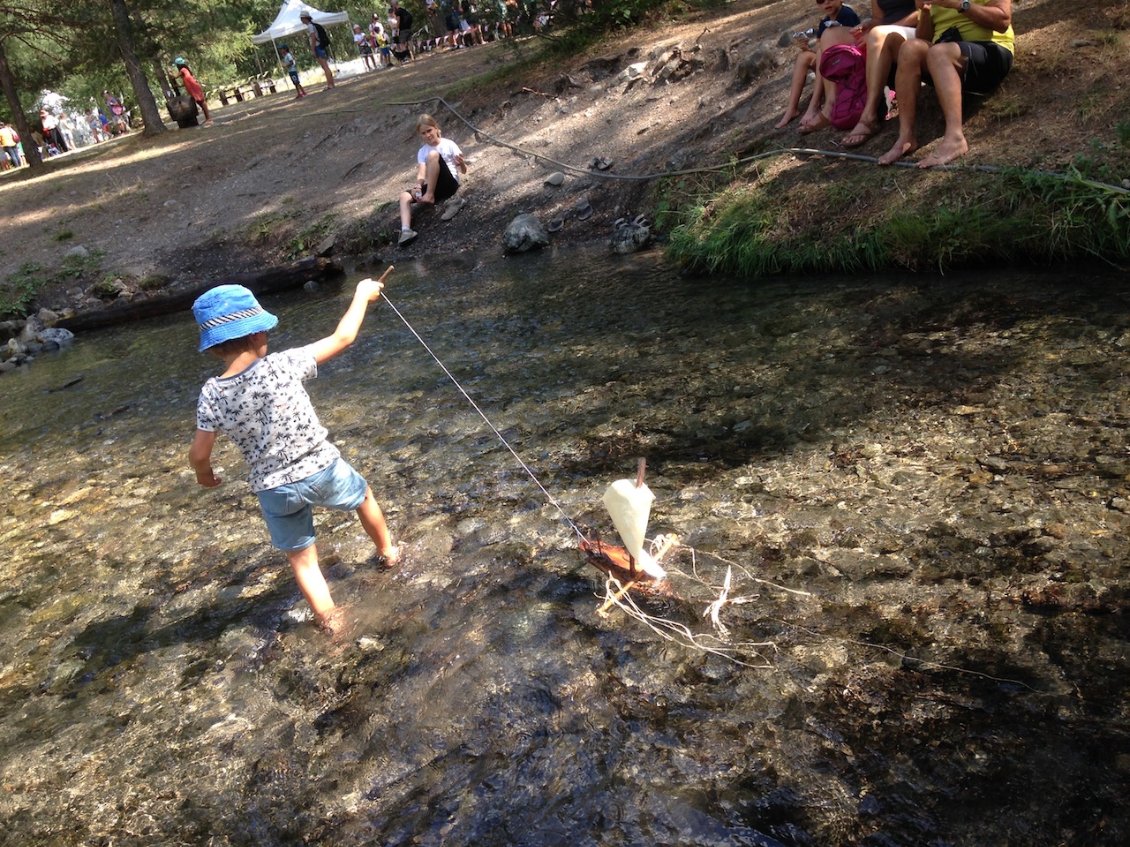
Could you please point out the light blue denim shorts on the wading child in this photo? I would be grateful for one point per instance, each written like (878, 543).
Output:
(288, 509)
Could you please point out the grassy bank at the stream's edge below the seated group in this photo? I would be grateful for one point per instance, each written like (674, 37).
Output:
(803, 214)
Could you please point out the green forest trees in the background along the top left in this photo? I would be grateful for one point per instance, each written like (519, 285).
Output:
(80, 49)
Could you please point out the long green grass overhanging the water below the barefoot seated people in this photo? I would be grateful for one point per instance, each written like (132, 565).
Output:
(753, 230)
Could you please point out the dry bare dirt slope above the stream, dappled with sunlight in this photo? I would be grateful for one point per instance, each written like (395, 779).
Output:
(275, 177)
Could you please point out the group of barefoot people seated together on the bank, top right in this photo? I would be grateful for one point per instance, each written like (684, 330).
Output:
(959, 48)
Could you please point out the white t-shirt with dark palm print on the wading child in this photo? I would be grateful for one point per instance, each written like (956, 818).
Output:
(267, 413)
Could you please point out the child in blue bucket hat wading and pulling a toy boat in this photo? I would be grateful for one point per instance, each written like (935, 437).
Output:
(259, 401)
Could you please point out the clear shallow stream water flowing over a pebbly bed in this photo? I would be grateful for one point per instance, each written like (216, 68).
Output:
(919, 485)
